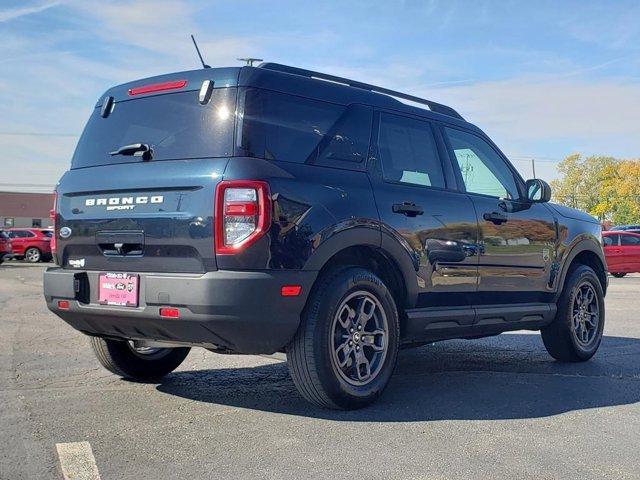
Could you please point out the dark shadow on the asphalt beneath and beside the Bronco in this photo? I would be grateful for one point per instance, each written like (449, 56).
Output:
(505, 377)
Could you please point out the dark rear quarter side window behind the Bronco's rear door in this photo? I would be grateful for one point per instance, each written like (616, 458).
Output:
(278, 126)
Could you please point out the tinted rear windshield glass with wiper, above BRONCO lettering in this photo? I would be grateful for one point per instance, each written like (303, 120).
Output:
(175, 125)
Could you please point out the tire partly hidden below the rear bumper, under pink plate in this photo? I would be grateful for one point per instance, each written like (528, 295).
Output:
(120, 357)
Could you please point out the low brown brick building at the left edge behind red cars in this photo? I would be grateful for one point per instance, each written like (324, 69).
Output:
(25, 209)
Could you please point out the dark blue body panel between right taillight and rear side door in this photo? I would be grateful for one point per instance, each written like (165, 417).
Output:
(312, 204)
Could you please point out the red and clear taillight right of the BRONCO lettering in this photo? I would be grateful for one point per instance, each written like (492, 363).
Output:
(242, 214)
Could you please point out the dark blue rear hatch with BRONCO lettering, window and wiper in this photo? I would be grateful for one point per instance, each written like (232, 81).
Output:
(139, 195)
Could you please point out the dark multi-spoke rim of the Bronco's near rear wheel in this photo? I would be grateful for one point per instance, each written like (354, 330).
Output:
(360, 334)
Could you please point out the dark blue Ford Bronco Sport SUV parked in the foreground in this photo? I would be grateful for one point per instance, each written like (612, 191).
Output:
(274, 209)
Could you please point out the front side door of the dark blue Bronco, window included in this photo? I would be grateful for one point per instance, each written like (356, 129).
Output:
(517, 237)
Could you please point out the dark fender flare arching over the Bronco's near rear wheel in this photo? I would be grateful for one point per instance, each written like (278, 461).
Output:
(370, 236)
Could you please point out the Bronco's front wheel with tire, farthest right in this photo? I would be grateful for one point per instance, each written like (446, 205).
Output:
(564, 338)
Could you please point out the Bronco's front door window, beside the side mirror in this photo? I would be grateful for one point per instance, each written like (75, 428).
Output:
(483, 170)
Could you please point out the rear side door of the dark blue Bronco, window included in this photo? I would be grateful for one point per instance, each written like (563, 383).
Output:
(419, 206)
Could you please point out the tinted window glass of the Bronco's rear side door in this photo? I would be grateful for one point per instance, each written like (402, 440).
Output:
(408, 151)
